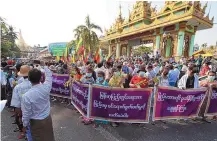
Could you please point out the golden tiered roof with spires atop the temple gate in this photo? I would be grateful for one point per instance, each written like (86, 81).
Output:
(143, 17)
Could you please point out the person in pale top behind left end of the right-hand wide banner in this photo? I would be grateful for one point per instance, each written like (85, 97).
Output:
(163, 79)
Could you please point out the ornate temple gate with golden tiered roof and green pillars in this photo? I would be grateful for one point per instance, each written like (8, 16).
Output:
(171, 30)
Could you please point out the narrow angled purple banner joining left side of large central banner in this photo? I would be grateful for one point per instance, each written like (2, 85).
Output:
(80, 97)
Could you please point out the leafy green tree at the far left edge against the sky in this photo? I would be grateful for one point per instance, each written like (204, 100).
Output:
(8, 37)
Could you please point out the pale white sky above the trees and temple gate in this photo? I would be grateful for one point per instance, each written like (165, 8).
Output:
(46, 21)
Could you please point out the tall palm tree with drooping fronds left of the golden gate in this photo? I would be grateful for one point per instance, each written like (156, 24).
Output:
(88, 34)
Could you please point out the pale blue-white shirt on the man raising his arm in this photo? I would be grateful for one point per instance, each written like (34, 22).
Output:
(36, 102)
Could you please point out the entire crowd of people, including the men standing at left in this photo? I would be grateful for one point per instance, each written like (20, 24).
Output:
(27, 86)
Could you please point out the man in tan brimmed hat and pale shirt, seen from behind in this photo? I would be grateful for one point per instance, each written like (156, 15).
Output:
(18, 92)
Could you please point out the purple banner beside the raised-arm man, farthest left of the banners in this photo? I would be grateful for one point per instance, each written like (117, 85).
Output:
(58, 85)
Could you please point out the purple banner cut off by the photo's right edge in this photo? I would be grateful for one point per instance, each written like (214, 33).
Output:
(211, 108)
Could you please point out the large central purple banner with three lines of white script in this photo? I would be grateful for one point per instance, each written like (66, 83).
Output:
(120, 105)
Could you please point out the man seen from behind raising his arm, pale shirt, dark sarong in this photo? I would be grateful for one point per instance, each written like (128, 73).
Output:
(35, 106)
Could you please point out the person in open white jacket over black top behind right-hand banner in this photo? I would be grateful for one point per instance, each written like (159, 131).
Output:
(189, 80)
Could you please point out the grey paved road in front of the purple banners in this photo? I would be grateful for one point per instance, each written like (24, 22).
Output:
(67, 127)
